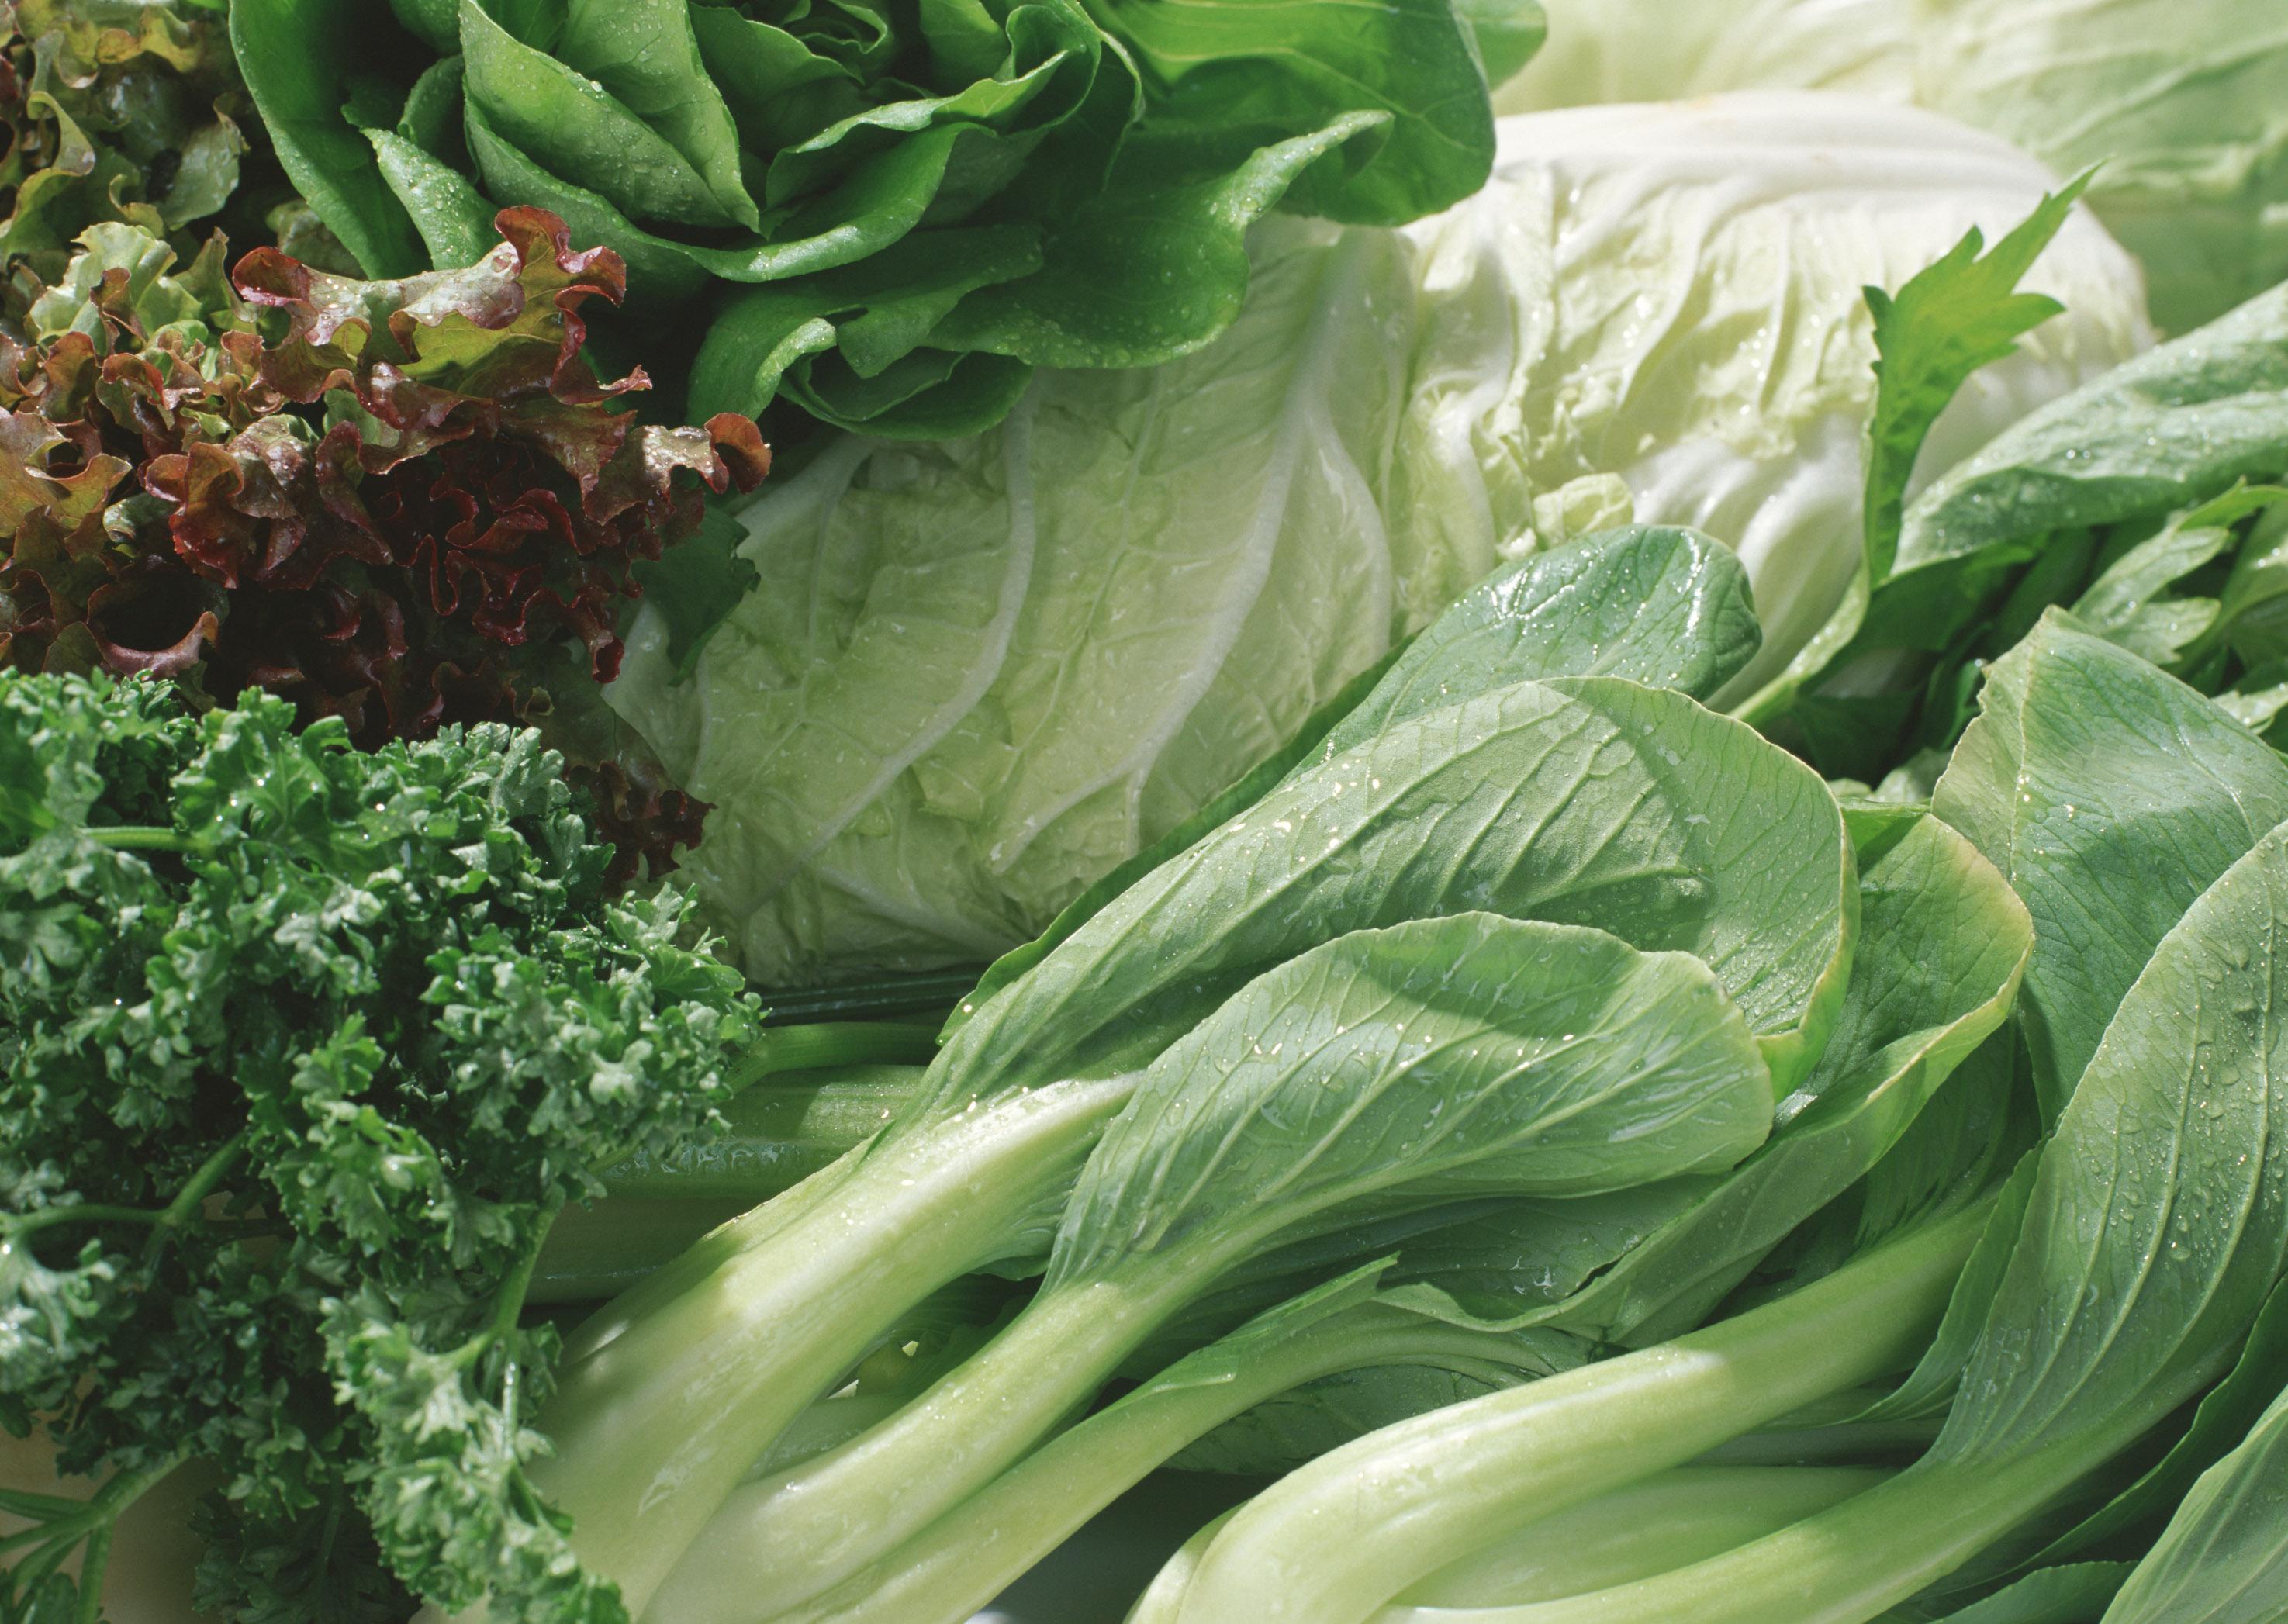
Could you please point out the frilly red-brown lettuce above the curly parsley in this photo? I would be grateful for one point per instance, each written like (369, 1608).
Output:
(392, 502)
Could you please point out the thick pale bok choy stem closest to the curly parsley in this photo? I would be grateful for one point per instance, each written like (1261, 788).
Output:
(669, 1408)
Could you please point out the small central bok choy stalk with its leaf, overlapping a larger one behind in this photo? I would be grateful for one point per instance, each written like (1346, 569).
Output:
(1431, 1058)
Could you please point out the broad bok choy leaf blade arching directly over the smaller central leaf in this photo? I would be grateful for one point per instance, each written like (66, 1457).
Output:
(1578, 802)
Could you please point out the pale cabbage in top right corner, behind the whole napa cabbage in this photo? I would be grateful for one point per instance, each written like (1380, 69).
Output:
(2184, 104)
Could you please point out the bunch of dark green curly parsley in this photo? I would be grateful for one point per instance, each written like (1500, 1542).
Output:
(301, 1051)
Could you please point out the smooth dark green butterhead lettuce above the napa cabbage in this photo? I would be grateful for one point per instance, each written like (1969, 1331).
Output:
(893, 212)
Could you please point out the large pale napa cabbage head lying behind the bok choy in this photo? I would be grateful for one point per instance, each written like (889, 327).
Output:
(976, 676)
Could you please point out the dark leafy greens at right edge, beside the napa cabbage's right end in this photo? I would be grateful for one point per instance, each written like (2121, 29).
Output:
(2108, 500)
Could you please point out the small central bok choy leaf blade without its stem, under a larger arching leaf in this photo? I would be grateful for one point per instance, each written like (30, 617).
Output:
(1429, 1060)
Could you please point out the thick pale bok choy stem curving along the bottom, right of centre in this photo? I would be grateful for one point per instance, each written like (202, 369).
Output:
(1346, 1534)
